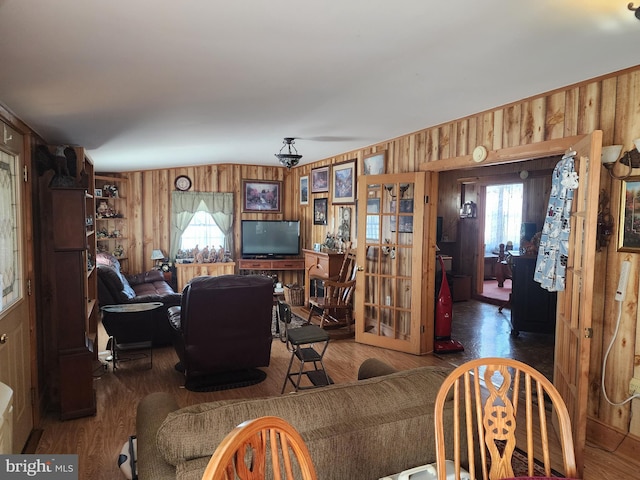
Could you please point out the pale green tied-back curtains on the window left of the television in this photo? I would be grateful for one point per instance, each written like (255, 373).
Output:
(185, 204)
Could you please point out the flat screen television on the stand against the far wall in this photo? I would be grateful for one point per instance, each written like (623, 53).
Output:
(270, 238)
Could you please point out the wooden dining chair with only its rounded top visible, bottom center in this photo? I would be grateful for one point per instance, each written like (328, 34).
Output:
(246, 451)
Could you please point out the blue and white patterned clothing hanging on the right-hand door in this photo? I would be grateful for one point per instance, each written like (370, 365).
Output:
(554, 242)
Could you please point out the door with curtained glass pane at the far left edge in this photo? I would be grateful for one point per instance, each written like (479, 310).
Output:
(15, 349)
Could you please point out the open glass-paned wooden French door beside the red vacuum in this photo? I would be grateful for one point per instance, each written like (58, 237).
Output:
(393, 229)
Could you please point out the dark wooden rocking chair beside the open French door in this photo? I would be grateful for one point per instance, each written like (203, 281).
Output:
(335, 302)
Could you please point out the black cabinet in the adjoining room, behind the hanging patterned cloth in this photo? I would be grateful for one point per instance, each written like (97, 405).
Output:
(533, 309)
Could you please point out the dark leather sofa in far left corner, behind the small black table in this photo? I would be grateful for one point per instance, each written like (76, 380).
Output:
(115, 288)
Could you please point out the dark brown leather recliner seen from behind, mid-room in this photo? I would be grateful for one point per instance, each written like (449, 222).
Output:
(223, 324)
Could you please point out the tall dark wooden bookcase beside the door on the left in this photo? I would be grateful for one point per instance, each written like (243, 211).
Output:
(68, 282)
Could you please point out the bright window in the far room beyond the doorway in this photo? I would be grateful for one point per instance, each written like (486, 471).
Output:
(503, 216)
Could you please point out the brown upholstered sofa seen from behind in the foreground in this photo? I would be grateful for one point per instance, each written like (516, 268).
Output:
(376, 426)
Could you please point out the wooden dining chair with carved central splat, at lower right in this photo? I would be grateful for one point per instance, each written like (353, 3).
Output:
(500, 406)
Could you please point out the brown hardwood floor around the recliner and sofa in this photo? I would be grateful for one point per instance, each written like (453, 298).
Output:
(99, 439)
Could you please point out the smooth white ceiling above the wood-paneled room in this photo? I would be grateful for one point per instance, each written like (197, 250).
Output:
(145, 84)
